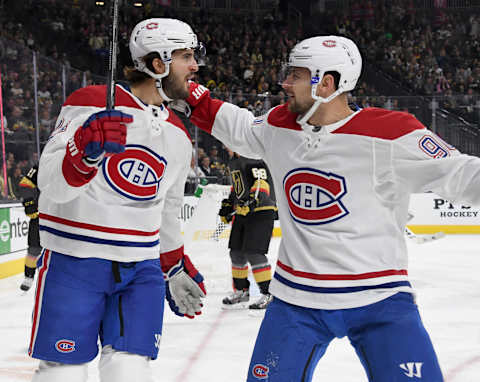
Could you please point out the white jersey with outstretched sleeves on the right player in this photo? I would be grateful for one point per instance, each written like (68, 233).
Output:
(343, 194)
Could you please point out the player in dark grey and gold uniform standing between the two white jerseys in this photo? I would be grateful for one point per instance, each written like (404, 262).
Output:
(252, 205)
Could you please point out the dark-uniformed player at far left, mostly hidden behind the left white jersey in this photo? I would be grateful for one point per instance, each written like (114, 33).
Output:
(30, 193)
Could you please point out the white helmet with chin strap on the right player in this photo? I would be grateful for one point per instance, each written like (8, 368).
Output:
(323, 54)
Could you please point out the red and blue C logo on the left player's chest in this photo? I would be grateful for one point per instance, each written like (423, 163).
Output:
(136, 173)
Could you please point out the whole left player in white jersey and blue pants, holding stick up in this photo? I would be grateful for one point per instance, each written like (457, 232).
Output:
(112, 185)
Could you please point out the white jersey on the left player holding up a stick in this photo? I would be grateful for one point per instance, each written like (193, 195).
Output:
(129, 211)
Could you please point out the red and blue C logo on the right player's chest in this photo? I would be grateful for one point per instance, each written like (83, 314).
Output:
(314, 197)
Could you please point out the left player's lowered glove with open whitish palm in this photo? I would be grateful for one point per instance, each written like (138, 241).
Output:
(185, 288)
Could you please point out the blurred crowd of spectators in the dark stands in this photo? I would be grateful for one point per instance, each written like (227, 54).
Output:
(427, 52)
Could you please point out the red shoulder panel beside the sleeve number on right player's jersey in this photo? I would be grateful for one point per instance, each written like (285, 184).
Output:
(380, 123)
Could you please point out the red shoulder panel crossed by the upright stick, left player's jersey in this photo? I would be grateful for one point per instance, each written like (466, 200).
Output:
(95, 96)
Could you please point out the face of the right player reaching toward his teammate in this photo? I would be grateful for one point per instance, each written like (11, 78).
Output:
(299, 90)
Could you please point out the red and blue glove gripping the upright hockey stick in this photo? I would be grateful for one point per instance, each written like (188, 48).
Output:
(103, 133)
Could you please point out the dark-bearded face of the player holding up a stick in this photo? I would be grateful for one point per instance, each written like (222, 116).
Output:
(182, 70)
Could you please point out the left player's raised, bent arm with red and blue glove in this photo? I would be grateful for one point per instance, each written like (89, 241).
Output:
(76, 148)
